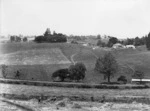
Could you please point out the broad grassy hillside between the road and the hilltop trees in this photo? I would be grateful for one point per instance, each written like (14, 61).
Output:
(128, 60)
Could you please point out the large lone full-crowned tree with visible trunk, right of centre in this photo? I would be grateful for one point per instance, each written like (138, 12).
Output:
(107, 65)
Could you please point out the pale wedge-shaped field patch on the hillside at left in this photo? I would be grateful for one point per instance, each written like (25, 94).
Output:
(34, 57)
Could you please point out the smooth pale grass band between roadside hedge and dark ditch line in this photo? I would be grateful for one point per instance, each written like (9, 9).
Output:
(29, 92)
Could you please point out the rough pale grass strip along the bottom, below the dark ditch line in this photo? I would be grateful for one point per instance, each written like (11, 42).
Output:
(68, 105)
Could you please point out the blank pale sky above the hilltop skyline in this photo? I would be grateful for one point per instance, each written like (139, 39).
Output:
(118, 18)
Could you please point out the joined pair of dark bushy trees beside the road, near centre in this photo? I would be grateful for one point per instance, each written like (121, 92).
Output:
(74, 72)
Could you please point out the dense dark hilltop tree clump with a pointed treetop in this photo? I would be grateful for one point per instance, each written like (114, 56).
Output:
(52, 38)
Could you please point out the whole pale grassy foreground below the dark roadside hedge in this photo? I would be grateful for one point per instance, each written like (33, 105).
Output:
(25, 98)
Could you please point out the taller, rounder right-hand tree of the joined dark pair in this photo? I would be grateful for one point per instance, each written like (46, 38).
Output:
(77, 71)
